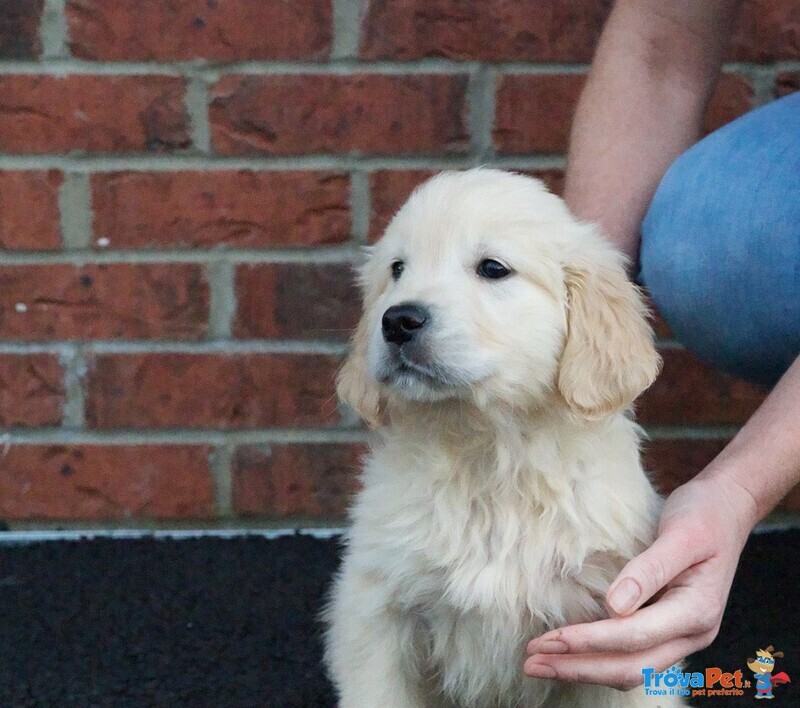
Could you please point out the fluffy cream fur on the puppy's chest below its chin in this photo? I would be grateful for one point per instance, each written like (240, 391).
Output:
(481, 543)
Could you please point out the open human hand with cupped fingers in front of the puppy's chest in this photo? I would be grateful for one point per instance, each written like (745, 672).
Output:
(703, 528)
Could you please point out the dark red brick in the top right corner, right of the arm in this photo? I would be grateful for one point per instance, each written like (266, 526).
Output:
(766, 31)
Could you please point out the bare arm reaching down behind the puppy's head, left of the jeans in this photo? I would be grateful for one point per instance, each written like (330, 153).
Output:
(655, 67)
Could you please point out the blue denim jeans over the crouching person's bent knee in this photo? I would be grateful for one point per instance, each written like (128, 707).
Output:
(720, 250)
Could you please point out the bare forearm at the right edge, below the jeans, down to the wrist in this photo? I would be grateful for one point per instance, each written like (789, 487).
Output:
(762, 463)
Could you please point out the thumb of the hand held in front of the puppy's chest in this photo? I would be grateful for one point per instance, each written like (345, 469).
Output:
(671, 553)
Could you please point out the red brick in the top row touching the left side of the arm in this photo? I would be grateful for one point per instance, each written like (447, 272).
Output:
(491, 30)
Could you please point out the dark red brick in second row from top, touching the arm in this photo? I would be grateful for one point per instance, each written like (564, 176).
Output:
(534, 112)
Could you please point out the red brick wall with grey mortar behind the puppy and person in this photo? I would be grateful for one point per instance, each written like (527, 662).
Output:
(182, 188)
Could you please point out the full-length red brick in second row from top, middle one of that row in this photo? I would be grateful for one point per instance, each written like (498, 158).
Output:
(364, 113)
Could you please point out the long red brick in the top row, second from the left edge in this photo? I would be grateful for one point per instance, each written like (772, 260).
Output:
(226, 30)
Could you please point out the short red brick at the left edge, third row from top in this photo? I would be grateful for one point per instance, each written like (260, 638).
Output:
(29, 213)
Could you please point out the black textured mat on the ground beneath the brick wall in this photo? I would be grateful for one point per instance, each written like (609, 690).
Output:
(214, 622)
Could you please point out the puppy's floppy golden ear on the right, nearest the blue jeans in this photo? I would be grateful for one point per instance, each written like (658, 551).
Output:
(609, 357)
